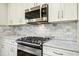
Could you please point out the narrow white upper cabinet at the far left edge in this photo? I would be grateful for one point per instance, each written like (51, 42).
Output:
(3, 13)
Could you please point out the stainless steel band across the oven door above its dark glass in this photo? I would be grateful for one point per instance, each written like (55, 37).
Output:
(29, 50)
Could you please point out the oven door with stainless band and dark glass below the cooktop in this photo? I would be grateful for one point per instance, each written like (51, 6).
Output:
(27, 51)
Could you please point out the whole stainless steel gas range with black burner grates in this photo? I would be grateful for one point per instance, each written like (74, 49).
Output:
(31, 46)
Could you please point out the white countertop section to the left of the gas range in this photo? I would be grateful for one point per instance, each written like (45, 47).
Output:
(10, 39)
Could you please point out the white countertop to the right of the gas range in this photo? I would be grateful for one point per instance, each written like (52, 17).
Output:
(67, 45)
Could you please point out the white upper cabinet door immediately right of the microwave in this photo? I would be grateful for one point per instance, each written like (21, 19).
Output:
(54, 12)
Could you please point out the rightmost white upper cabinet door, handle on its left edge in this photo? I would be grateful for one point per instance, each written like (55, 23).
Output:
(69, 11)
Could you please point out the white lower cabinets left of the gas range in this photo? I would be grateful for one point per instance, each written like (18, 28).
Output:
(8, 49)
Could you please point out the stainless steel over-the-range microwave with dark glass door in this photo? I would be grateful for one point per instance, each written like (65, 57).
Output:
(37, 14)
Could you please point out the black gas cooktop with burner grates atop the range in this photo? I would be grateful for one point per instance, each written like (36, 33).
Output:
(34, 40)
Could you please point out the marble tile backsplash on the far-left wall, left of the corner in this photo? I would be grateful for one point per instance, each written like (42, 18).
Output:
(7, 31)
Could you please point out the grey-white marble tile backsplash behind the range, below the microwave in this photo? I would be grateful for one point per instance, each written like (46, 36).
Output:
(64, 31)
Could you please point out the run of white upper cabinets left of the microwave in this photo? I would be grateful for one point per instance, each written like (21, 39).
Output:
(13, 13)
